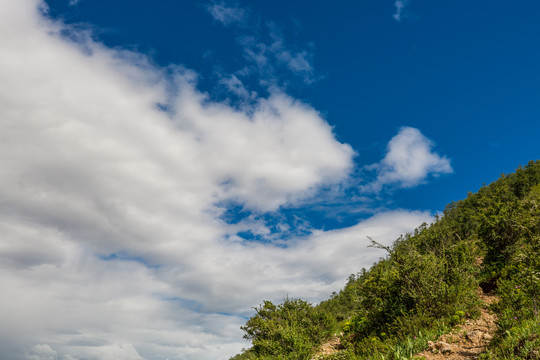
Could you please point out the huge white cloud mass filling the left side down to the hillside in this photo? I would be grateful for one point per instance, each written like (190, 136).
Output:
(113, 242)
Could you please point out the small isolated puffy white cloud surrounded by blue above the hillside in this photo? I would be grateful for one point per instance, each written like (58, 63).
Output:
(408, 162)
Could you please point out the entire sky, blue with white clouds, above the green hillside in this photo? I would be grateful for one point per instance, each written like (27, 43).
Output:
(168, 165)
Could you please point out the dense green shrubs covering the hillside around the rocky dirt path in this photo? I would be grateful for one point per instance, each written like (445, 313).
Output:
(426, 284)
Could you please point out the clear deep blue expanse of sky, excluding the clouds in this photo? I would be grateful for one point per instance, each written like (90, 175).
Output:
(464, 74)
